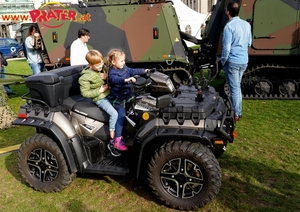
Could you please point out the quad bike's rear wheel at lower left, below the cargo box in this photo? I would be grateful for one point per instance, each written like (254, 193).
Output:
(42, 164)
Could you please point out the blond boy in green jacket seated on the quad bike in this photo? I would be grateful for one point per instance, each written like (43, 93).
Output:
(93, 85)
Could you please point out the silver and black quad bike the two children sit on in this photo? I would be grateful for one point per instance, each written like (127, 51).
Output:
(174, 136)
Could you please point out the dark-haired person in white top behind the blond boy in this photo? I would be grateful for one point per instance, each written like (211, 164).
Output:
(79, 48)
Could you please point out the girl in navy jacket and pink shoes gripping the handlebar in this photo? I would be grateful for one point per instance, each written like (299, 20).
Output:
(119, 76)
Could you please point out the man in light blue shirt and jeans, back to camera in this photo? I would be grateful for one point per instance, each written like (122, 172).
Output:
(236, 40)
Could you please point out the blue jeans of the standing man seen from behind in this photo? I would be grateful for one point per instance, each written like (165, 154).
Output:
(234, 73)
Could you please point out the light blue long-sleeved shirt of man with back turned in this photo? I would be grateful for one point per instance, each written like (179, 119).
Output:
(236, 40)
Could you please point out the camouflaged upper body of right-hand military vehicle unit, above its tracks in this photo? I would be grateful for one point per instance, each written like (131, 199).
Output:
(273, 32)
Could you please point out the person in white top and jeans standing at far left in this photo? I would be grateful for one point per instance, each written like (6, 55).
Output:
(34, 55)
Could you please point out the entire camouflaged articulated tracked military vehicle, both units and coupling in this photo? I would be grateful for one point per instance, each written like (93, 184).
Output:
(148, 31)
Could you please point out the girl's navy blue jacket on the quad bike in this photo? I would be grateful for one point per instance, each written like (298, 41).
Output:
(119, 89)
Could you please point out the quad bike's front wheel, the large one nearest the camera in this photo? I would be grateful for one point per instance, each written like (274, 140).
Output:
(184, 175)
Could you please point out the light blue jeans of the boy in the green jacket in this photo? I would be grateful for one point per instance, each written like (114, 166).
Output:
(105, 105)
